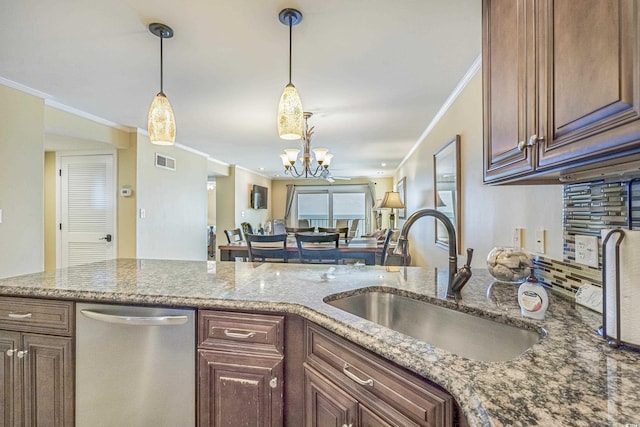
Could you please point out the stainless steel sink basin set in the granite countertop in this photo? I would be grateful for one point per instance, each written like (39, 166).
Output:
(463, 334)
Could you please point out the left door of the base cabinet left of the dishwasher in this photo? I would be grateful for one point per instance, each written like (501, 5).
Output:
(10, 395)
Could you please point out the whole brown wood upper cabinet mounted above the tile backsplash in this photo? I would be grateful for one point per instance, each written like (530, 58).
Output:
(561, 82)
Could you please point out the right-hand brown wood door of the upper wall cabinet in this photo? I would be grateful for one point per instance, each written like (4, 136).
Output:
(590, 81)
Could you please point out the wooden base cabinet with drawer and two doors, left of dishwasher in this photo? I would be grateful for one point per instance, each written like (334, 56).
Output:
(38, 370)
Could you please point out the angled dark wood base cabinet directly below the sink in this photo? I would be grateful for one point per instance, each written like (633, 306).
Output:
(346, 385)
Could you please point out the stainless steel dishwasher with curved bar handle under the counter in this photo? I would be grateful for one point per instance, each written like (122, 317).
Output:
(135, 366)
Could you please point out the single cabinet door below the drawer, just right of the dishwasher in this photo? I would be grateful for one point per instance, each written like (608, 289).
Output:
(239, 389)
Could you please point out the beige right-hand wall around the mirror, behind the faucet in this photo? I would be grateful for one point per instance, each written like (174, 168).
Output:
(489, 213)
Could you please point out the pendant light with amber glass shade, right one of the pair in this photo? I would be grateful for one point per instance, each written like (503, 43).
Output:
(290, 113)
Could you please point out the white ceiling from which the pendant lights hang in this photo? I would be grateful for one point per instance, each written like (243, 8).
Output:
(373, 72)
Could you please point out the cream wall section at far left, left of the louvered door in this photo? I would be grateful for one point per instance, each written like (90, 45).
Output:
(21, 183)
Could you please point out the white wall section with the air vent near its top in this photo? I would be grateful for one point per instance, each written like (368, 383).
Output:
(175, 204)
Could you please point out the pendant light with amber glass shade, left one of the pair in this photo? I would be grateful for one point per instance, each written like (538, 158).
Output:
(162, 123)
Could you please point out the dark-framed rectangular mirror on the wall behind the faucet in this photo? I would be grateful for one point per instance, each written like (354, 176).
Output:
(446, 178)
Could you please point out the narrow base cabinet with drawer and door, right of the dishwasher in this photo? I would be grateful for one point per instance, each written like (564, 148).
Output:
(240, 369)
